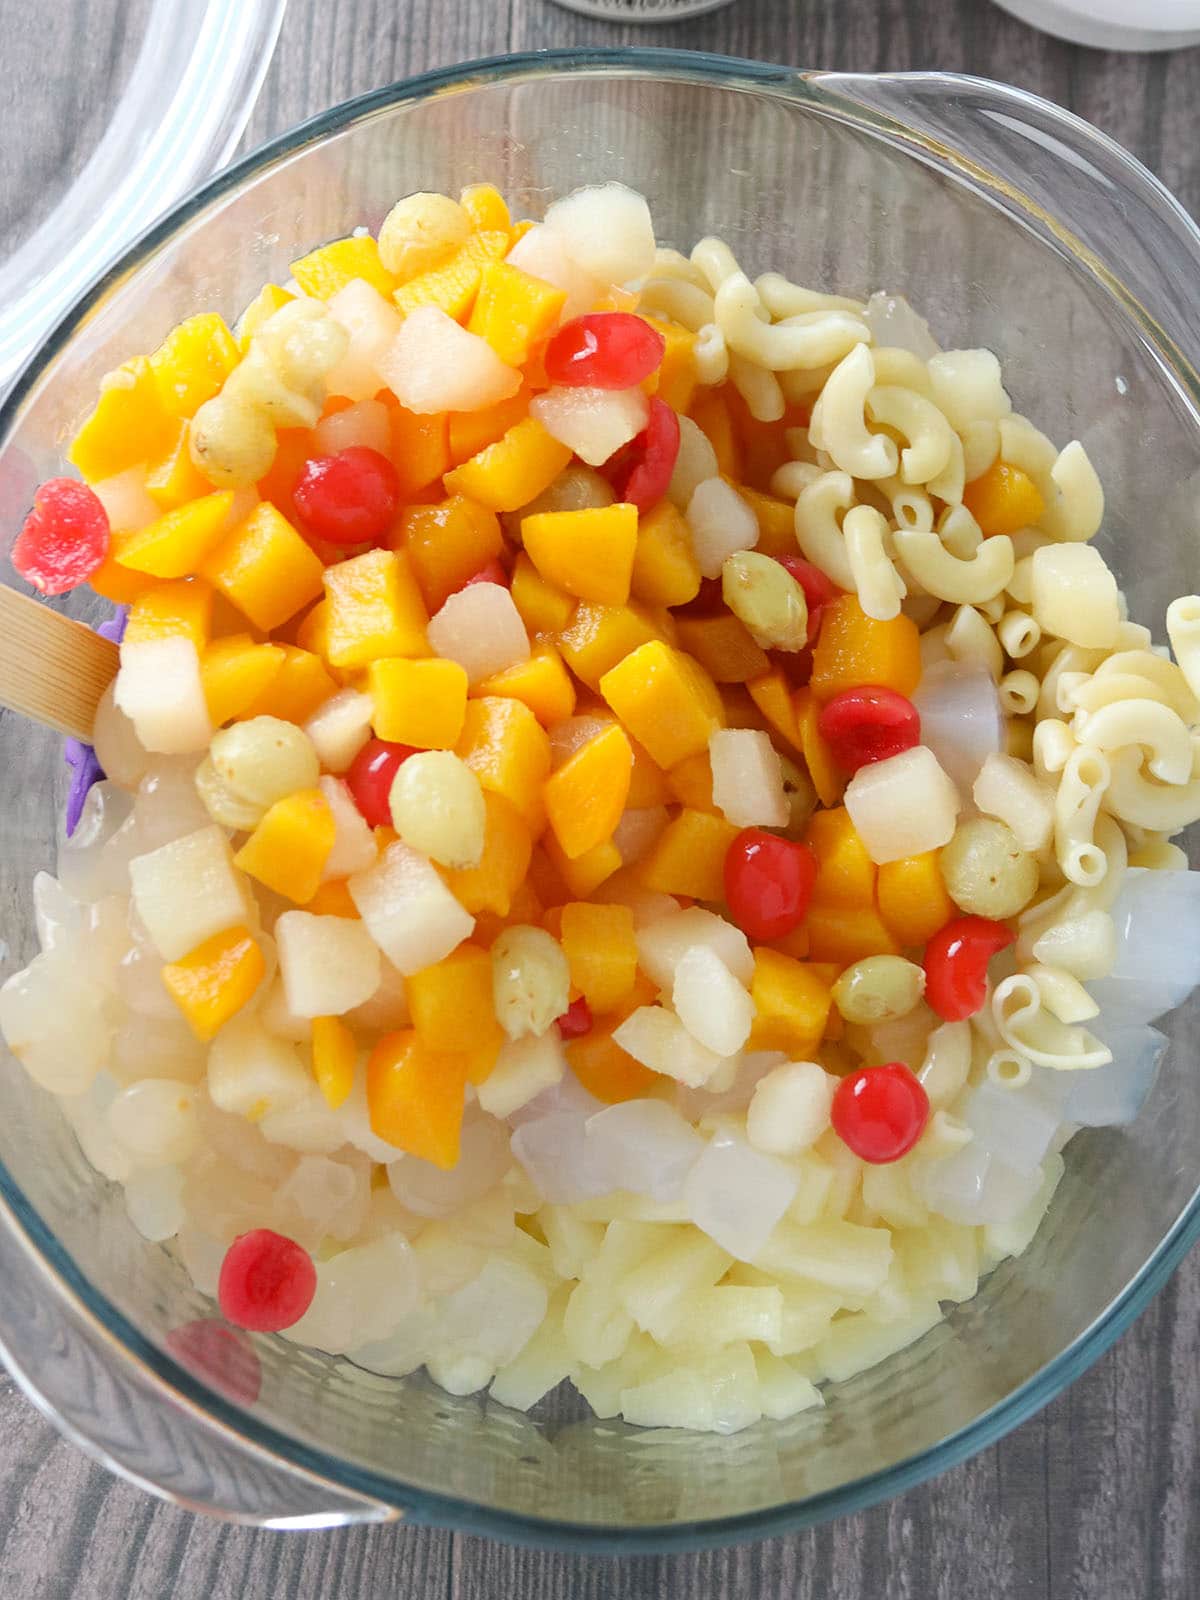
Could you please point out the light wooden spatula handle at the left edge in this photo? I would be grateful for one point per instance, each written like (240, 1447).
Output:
(52, 668)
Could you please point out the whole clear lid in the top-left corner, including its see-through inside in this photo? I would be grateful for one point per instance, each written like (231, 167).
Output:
(180, 82)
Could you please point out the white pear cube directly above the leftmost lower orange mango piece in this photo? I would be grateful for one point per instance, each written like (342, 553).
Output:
(190, 890)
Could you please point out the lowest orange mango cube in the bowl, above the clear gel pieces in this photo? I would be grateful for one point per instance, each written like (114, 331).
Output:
(415, 1098)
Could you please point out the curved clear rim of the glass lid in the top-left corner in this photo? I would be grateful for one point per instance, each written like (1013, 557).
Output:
(180, 118)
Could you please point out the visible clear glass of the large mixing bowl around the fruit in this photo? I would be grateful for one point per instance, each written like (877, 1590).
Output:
(1014, 226)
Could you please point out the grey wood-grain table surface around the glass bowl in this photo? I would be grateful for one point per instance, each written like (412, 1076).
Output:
(1098, 1497)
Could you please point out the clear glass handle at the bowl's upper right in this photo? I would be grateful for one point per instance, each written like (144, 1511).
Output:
(1068, 182)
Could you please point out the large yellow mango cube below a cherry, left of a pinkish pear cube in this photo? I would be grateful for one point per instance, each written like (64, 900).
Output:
(375, 610)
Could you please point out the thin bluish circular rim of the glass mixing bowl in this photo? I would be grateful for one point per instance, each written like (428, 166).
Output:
(108, 1324)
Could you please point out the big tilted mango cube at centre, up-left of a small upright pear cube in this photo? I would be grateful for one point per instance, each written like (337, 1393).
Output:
(666, 700)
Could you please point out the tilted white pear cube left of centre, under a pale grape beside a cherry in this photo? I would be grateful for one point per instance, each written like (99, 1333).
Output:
(409, 911)
